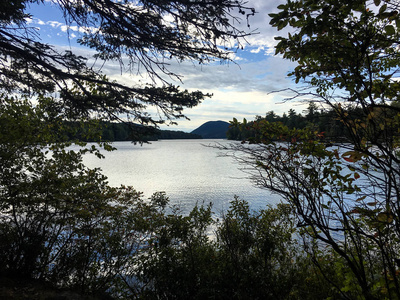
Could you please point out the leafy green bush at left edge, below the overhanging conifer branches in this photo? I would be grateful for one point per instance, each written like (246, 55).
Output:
(60, 222)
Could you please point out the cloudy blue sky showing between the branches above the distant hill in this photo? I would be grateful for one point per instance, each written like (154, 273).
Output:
(241, 89)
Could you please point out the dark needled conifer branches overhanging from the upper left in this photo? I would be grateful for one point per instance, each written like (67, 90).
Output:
(135, 34)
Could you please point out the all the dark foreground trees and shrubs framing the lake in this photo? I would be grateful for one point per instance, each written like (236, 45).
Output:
(337, 234)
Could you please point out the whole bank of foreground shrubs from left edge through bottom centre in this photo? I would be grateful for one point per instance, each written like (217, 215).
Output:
(63, 226)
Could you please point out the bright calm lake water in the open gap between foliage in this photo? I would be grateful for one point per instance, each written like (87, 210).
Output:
(186, 170)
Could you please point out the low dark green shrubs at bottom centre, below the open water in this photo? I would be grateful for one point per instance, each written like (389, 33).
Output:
(254, 256)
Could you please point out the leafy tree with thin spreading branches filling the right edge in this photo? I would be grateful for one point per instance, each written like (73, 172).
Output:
(346, 197)
